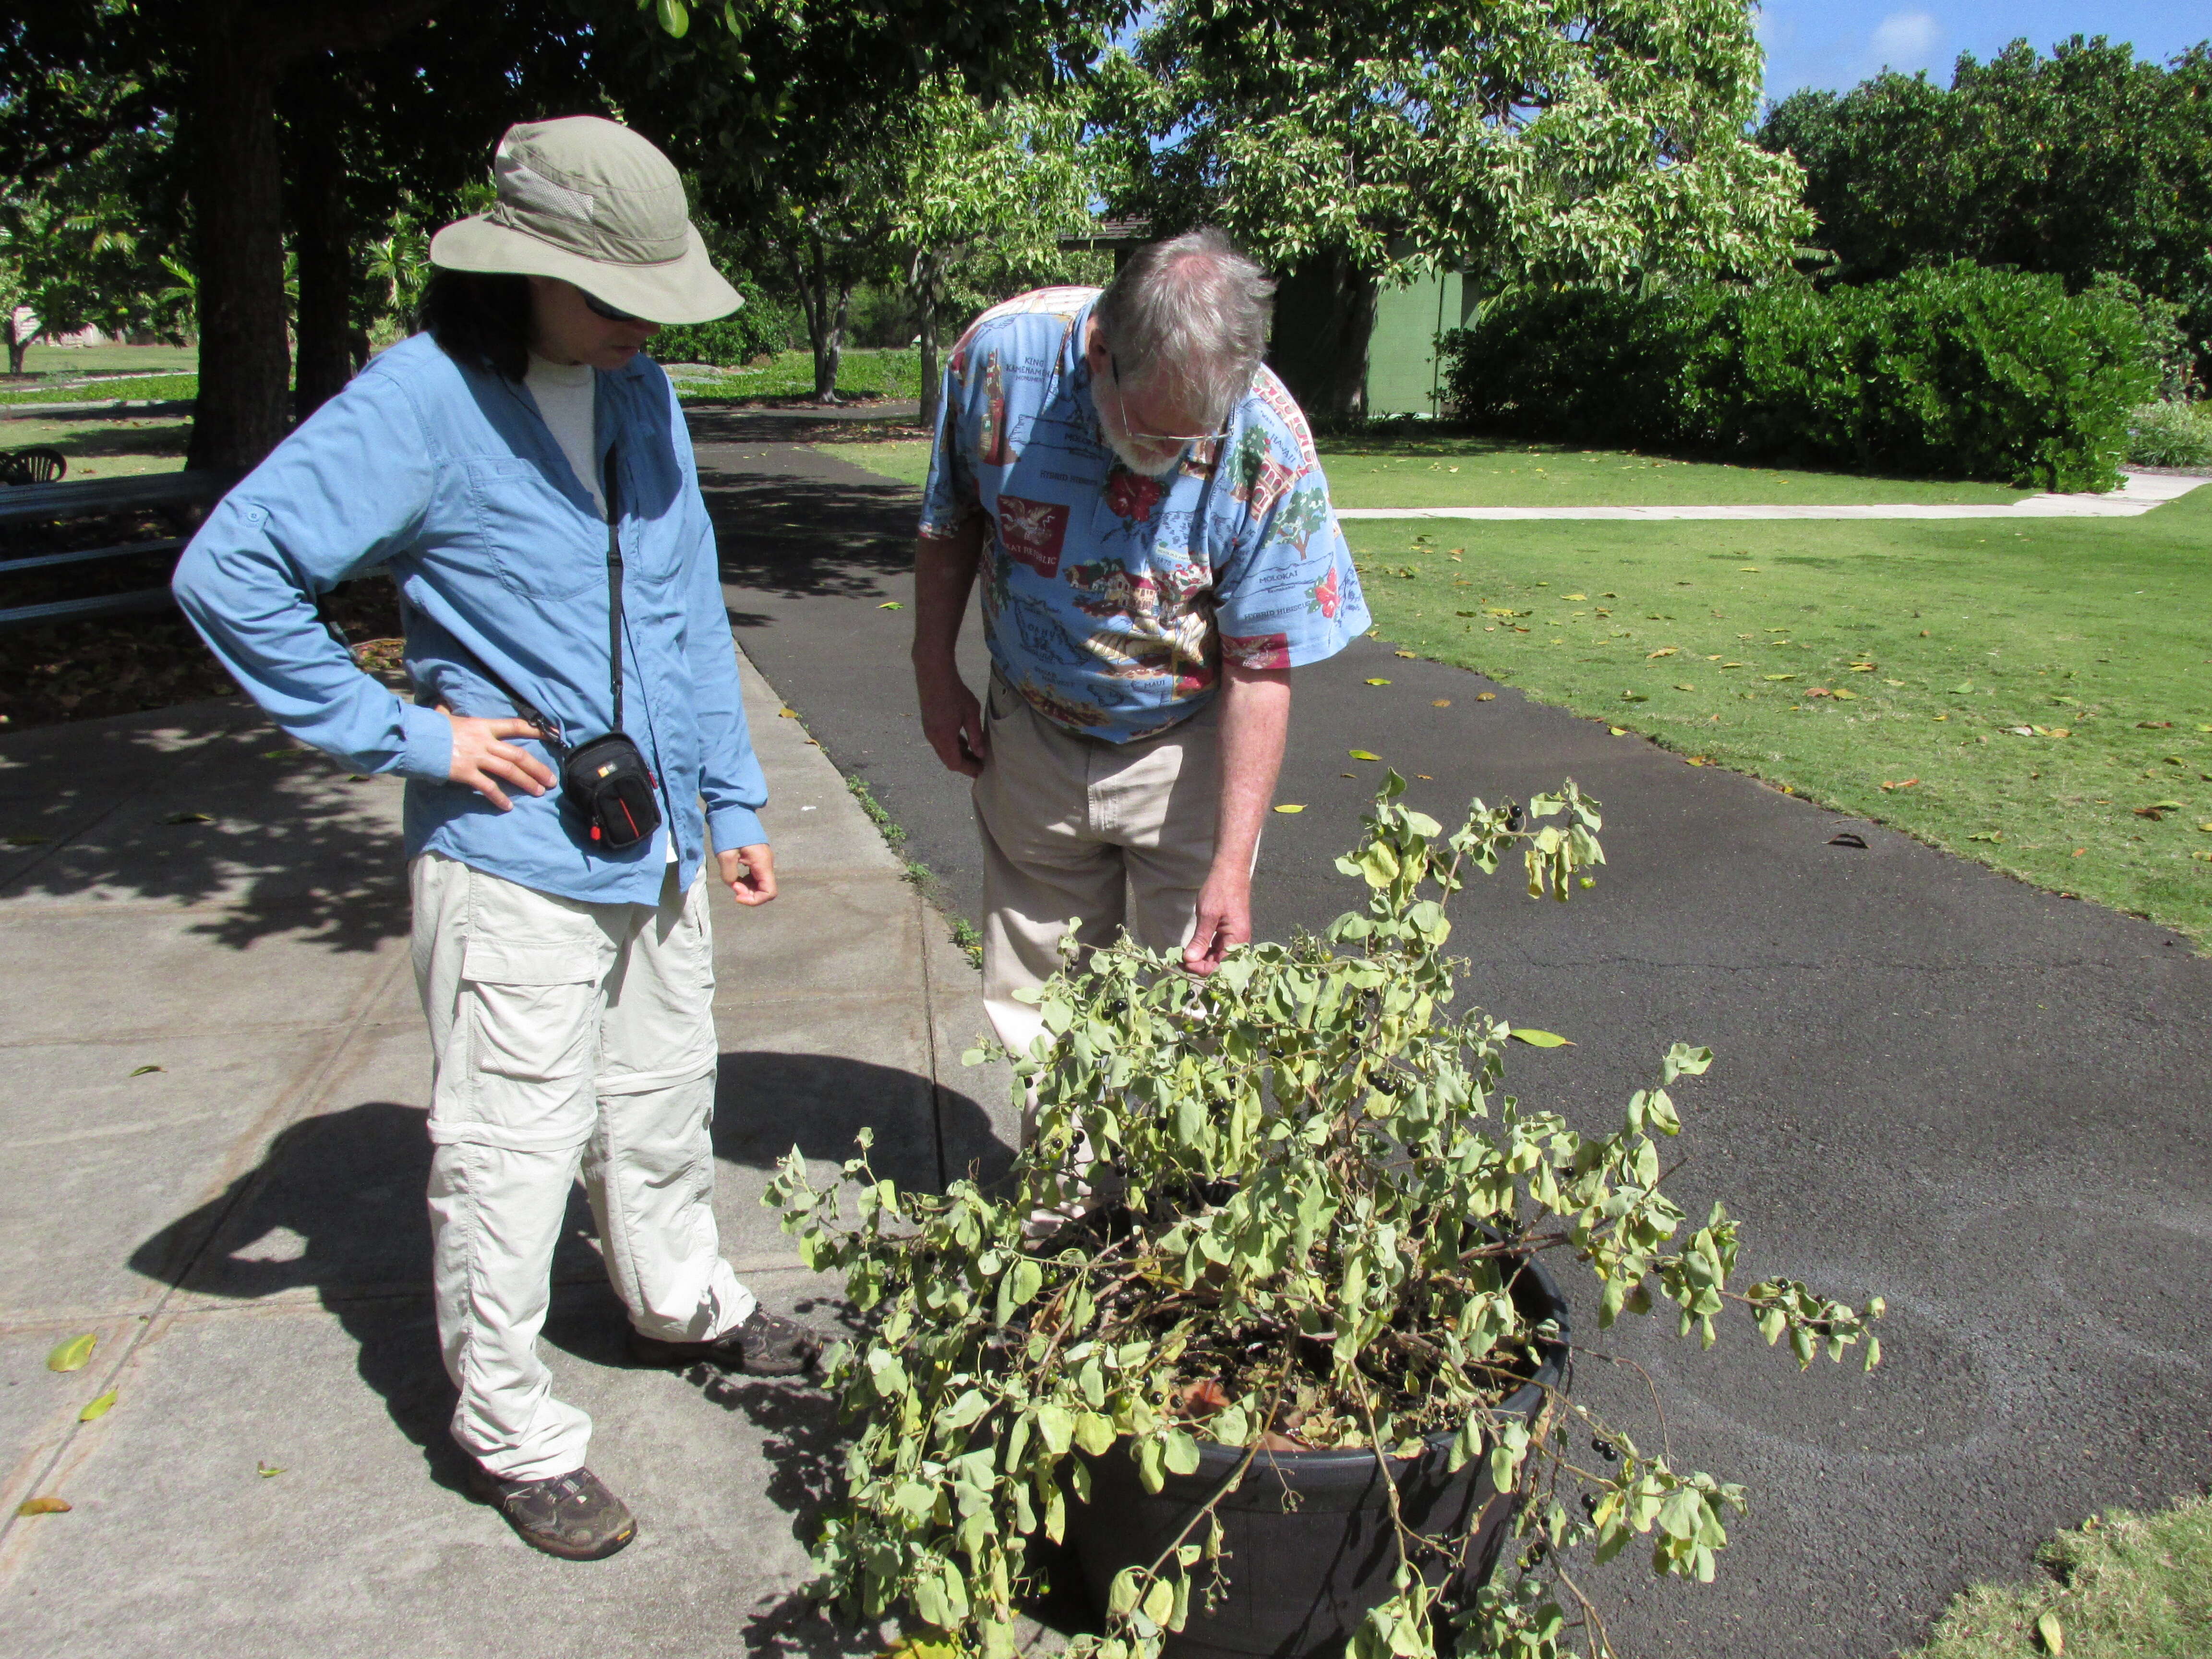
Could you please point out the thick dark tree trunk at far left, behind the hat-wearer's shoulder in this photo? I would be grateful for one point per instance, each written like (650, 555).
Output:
(238, 247)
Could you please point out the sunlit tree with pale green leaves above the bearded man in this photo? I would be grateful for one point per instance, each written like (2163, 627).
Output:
(1379, 140)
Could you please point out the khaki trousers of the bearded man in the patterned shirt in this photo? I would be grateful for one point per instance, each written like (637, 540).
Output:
(1083, 831)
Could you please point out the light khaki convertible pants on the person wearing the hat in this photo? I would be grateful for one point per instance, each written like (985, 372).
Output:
(563, 1036)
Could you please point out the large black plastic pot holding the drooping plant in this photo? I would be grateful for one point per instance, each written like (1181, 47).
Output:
(1308, 1532)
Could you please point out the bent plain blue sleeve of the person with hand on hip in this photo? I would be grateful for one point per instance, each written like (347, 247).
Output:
(340, 497)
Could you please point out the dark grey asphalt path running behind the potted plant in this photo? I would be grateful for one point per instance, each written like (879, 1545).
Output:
(1932, 1083)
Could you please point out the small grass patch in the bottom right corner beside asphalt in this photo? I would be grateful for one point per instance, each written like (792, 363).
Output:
(2120, 1587)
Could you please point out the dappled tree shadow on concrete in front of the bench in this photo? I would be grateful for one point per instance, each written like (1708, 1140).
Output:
(198, 804)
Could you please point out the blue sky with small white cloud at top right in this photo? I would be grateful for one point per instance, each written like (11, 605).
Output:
(1819, 43)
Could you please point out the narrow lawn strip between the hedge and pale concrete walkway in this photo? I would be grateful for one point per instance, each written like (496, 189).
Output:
(1477, 472)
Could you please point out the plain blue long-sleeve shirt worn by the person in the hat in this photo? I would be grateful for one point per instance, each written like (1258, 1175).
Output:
(457, 486)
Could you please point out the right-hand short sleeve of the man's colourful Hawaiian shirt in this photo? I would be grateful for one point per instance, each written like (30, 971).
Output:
(1288, 594)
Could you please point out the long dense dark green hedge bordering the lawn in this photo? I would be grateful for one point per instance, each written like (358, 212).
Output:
(1948, 371)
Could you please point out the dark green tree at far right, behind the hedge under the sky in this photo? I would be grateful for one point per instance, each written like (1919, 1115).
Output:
(2072, 165)
